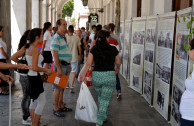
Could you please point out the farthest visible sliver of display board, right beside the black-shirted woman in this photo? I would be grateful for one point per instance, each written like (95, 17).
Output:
(121, 36)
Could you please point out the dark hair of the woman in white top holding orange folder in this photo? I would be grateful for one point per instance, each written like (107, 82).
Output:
(32, 35)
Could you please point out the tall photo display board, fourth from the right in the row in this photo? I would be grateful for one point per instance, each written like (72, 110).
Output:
(137, 53)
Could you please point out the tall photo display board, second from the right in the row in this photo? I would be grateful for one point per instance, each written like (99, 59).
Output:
(163, 63)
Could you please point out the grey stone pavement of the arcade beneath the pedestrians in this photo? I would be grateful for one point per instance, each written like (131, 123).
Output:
(132, 110)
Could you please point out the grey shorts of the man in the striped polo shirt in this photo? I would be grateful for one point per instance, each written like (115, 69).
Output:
(65, 70)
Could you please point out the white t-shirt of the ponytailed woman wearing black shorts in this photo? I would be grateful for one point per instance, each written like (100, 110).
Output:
(48, 38)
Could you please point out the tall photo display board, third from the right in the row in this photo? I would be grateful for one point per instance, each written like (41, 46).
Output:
(150, 43)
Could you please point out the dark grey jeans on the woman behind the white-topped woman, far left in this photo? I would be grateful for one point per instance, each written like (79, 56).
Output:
(26, 98)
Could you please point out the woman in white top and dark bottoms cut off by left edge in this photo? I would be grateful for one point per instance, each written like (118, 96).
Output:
(3, 58)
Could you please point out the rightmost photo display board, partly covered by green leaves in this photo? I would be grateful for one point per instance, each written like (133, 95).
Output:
(180, 64)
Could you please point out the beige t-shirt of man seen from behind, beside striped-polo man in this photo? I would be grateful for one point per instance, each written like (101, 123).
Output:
(73, 43)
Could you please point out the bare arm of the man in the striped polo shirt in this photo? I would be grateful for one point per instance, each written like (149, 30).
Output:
(57, 62)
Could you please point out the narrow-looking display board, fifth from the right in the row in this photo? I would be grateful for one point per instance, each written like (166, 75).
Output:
(126, 50)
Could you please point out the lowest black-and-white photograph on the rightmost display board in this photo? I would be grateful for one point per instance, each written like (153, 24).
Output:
(175, 112)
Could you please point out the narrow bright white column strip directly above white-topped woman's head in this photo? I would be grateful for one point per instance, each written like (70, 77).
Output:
(35, 14)
